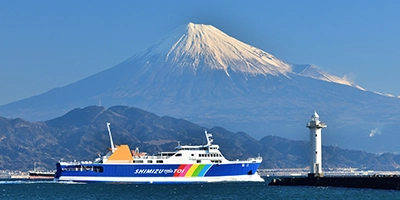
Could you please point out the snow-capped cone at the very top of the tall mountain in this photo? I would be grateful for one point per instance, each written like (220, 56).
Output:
(198, 45)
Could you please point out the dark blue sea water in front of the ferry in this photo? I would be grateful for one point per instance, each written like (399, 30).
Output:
(27, 189)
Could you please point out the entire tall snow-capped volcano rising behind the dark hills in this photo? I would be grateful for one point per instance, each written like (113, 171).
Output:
(201, 74)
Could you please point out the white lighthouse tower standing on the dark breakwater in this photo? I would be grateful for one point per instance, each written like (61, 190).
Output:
(315, 127)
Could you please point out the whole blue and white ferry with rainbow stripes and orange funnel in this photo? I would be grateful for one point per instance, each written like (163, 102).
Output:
(201, 163)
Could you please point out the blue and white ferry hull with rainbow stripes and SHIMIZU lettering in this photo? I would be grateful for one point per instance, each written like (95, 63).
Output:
(158, 173)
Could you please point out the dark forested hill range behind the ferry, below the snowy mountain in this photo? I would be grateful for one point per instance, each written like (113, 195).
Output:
(81, 134)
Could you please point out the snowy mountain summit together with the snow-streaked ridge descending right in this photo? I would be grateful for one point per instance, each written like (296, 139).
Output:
(199, 46)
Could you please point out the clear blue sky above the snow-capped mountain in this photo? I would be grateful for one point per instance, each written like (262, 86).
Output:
(48, 44)
